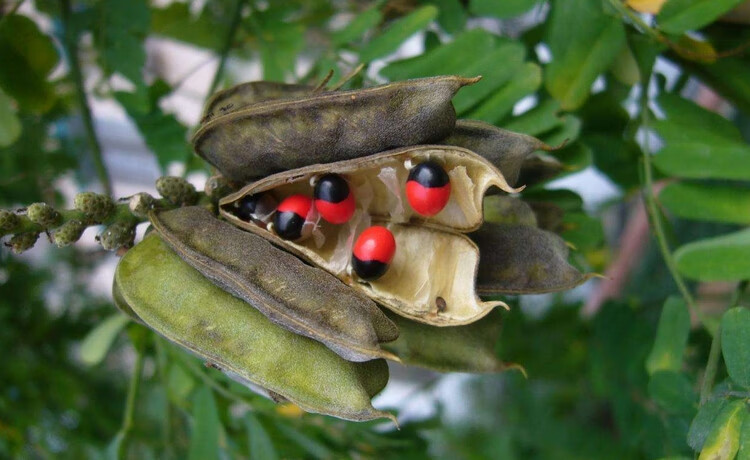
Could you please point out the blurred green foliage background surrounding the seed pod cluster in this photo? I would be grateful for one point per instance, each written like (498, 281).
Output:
(651, 98)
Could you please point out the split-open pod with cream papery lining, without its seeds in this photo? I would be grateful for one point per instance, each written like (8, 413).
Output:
(431, 277)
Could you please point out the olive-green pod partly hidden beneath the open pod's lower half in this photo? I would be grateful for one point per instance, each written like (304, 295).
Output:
(469, 348)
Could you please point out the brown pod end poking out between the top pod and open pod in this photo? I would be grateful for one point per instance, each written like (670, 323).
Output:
(505, 149)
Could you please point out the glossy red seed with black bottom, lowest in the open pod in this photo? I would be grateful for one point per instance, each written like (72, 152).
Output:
(373, 252)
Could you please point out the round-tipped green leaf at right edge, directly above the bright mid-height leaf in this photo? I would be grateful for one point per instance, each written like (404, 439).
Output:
(720, 203)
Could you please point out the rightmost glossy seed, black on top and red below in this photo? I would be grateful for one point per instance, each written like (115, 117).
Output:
(428, 188)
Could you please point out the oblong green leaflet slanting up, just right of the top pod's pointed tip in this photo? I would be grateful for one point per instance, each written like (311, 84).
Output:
(526, 81)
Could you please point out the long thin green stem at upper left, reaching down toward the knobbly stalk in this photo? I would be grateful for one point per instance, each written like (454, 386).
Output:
(71, 47)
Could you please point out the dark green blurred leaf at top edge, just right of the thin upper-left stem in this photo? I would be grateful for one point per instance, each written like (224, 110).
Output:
(119, 36)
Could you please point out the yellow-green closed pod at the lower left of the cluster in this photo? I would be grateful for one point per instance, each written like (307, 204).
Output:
(177, 302)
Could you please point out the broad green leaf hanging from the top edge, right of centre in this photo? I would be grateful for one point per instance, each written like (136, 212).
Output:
(581, 52)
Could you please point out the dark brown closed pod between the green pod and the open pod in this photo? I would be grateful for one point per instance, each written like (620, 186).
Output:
(303, 299)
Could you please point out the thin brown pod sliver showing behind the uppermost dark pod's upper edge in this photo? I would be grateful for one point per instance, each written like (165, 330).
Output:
(245, 94)
